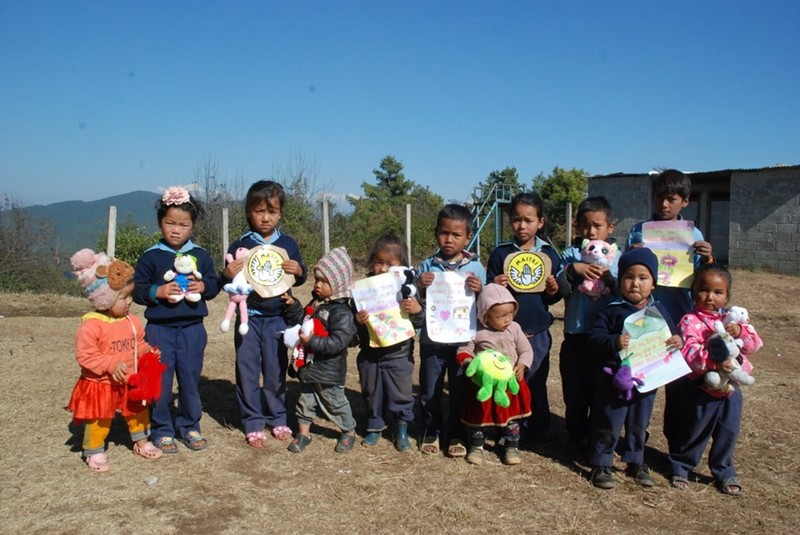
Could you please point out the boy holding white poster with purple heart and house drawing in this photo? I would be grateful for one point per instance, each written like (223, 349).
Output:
(453, 234)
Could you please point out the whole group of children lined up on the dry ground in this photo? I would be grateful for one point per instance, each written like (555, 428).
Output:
(513, 323)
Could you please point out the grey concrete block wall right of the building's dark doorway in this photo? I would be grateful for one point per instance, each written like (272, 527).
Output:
(765, 220)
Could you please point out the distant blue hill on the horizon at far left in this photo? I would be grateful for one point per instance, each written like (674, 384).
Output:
(79, 224)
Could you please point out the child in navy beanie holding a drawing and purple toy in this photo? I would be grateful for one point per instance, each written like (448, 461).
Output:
(638, 273)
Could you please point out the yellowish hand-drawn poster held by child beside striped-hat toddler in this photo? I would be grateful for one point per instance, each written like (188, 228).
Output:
(388, 323)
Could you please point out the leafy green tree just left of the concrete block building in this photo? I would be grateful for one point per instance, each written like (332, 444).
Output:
(558, 189)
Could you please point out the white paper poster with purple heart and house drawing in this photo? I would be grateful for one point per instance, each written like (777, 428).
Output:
(450, 312)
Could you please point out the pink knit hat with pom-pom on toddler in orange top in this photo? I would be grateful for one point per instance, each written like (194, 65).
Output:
(101, 277)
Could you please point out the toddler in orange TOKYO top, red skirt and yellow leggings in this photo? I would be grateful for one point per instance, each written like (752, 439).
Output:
(106, 347)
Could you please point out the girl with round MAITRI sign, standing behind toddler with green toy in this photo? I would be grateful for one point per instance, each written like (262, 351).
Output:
(528, 224)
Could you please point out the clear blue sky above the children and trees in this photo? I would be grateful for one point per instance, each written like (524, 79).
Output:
(101, 98)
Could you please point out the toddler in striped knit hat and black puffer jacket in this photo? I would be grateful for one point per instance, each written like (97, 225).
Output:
(322, 379)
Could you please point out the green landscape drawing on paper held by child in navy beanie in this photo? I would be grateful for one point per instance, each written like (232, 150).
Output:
(647, 353)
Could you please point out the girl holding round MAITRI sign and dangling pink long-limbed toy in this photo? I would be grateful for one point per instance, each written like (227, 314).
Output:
(261, 353)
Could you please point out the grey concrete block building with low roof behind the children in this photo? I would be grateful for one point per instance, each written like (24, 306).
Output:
(750, 216)
